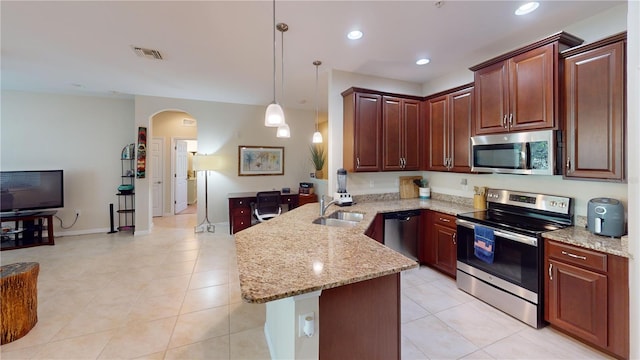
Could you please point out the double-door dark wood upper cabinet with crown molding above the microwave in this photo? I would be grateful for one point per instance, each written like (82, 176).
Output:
(517, 91)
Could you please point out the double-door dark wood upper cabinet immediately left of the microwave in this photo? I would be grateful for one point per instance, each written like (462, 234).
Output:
(449, 118)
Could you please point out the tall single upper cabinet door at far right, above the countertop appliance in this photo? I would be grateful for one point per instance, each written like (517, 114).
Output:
(594, 110)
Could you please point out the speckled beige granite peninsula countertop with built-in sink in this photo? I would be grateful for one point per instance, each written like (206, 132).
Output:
(288, 255)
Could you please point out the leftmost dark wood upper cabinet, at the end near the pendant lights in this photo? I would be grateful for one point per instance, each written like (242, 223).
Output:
(362, 131)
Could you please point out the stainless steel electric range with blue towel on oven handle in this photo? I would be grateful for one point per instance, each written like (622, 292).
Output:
(512, 281)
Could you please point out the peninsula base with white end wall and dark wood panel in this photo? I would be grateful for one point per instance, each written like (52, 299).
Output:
(344, 324)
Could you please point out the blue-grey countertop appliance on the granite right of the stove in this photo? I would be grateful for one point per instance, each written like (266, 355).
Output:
(605, 216)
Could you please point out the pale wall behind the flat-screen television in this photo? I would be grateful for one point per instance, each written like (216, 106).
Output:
(81, 135)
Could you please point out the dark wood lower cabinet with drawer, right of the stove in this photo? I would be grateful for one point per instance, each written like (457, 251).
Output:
(587, 296)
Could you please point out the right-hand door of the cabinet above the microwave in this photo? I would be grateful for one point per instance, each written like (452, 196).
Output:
(531, 89)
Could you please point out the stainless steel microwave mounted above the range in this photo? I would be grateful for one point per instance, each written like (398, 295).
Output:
(528, 153)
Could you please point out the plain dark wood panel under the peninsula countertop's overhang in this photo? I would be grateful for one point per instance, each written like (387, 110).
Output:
(361, 320)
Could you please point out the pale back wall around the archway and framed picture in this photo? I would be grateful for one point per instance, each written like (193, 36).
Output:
(222, 127)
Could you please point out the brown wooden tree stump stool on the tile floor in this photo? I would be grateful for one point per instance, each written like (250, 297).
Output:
(19, 298)
